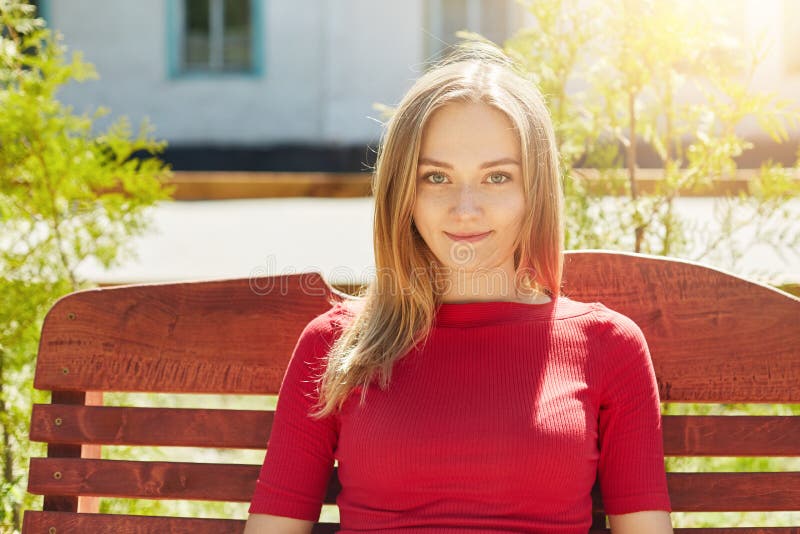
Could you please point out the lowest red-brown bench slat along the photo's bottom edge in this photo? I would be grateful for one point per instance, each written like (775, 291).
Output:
(68, 523)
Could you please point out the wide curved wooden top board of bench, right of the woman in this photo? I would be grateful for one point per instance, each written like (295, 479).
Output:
(713, 337)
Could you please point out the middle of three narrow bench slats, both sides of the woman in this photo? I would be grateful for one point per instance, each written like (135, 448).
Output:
(691, 492)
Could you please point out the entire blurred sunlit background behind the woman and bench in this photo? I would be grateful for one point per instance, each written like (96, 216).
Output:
(168, 140)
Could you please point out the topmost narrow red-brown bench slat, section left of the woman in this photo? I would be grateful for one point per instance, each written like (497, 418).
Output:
(113, 425)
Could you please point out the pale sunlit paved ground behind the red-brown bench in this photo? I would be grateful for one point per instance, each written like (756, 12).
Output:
(236, 238)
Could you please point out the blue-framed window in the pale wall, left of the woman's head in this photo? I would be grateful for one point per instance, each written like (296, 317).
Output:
(215, 36)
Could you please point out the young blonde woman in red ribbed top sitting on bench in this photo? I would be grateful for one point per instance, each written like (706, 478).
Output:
(462, 392)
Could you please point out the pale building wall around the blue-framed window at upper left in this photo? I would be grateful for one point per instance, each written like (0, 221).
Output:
(325, 64)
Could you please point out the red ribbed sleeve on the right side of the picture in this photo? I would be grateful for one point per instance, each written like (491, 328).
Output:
(631, 466)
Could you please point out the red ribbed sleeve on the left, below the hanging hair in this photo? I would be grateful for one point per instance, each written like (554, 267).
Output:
(300, 452)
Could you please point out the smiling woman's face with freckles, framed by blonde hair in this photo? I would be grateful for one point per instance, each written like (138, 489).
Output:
(469, 181)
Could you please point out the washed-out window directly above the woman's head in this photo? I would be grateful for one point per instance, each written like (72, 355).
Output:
(496, 20)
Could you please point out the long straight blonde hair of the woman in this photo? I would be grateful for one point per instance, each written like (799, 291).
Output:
(399, 305)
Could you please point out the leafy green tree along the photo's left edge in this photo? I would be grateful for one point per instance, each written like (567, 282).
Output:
(68, 195)
